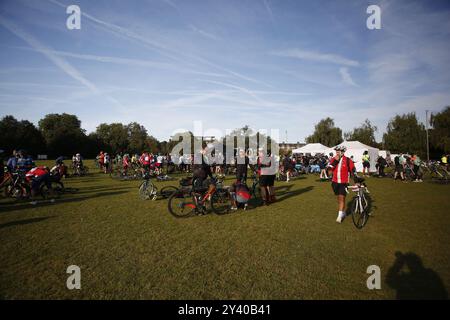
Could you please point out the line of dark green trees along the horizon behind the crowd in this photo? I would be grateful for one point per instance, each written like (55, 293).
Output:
(62, 134)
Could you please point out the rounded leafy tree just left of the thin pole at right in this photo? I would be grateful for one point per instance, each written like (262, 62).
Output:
(405, 134)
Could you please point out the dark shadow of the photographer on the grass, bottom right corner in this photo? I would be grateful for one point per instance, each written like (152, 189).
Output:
(416, 282)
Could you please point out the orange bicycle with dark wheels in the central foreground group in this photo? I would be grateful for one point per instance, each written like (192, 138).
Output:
(184, 203)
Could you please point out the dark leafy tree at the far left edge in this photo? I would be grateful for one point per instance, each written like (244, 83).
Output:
(23, 134)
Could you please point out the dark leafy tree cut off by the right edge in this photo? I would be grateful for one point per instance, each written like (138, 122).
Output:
(440, 134)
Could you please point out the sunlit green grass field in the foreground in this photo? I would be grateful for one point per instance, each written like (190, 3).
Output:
(133, 249)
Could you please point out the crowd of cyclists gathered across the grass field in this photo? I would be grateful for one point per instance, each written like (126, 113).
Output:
(265, 166)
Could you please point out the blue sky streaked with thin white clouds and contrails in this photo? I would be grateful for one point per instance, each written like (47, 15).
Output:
(270, 64)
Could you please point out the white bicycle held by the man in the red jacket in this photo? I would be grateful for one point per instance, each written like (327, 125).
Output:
(360, 205)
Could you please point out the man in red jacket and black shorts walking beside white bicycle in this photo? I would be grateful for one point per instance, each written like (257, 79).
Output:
(342, 168)
